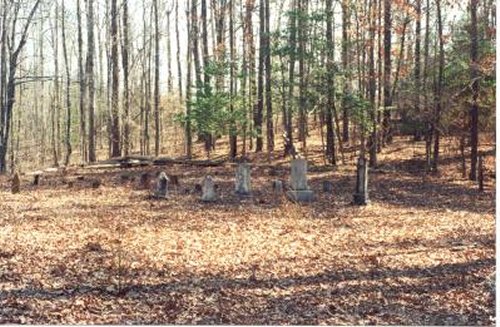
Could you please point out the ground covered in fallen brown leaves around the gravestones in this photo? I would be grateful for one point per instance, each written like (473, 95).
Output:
(422, 253)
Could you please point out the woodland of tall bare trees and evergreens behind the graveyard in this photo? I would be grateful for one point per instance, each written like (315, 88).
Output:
(86, 80)
